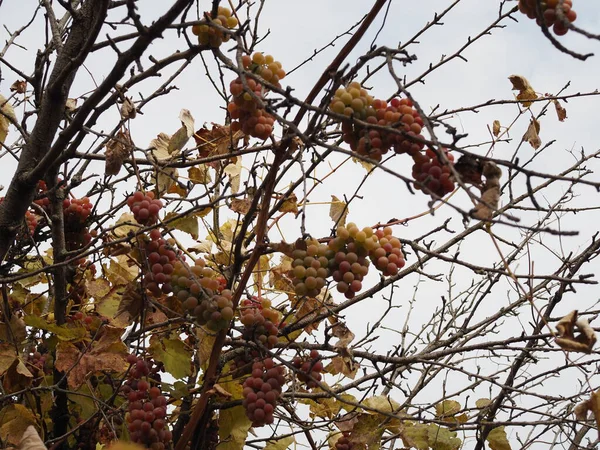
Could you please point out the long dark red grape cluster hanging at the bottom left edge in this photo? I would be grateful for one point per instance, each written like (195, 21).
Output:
(147, 408)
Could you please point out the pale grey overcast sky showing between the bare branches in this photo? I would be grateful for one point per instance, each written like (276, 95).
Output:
(294, 30)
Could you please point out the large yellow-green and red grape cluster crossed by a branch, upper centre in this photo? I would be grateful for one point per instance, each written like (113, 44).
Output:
(399, 116)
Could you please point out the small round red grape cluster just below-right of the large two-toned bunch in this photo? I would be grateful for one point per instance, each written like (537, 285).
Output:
(432, 175)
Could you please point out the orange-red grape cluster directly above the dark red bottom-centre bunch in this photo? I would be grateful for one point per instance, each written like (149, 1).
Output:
(260, 324)
